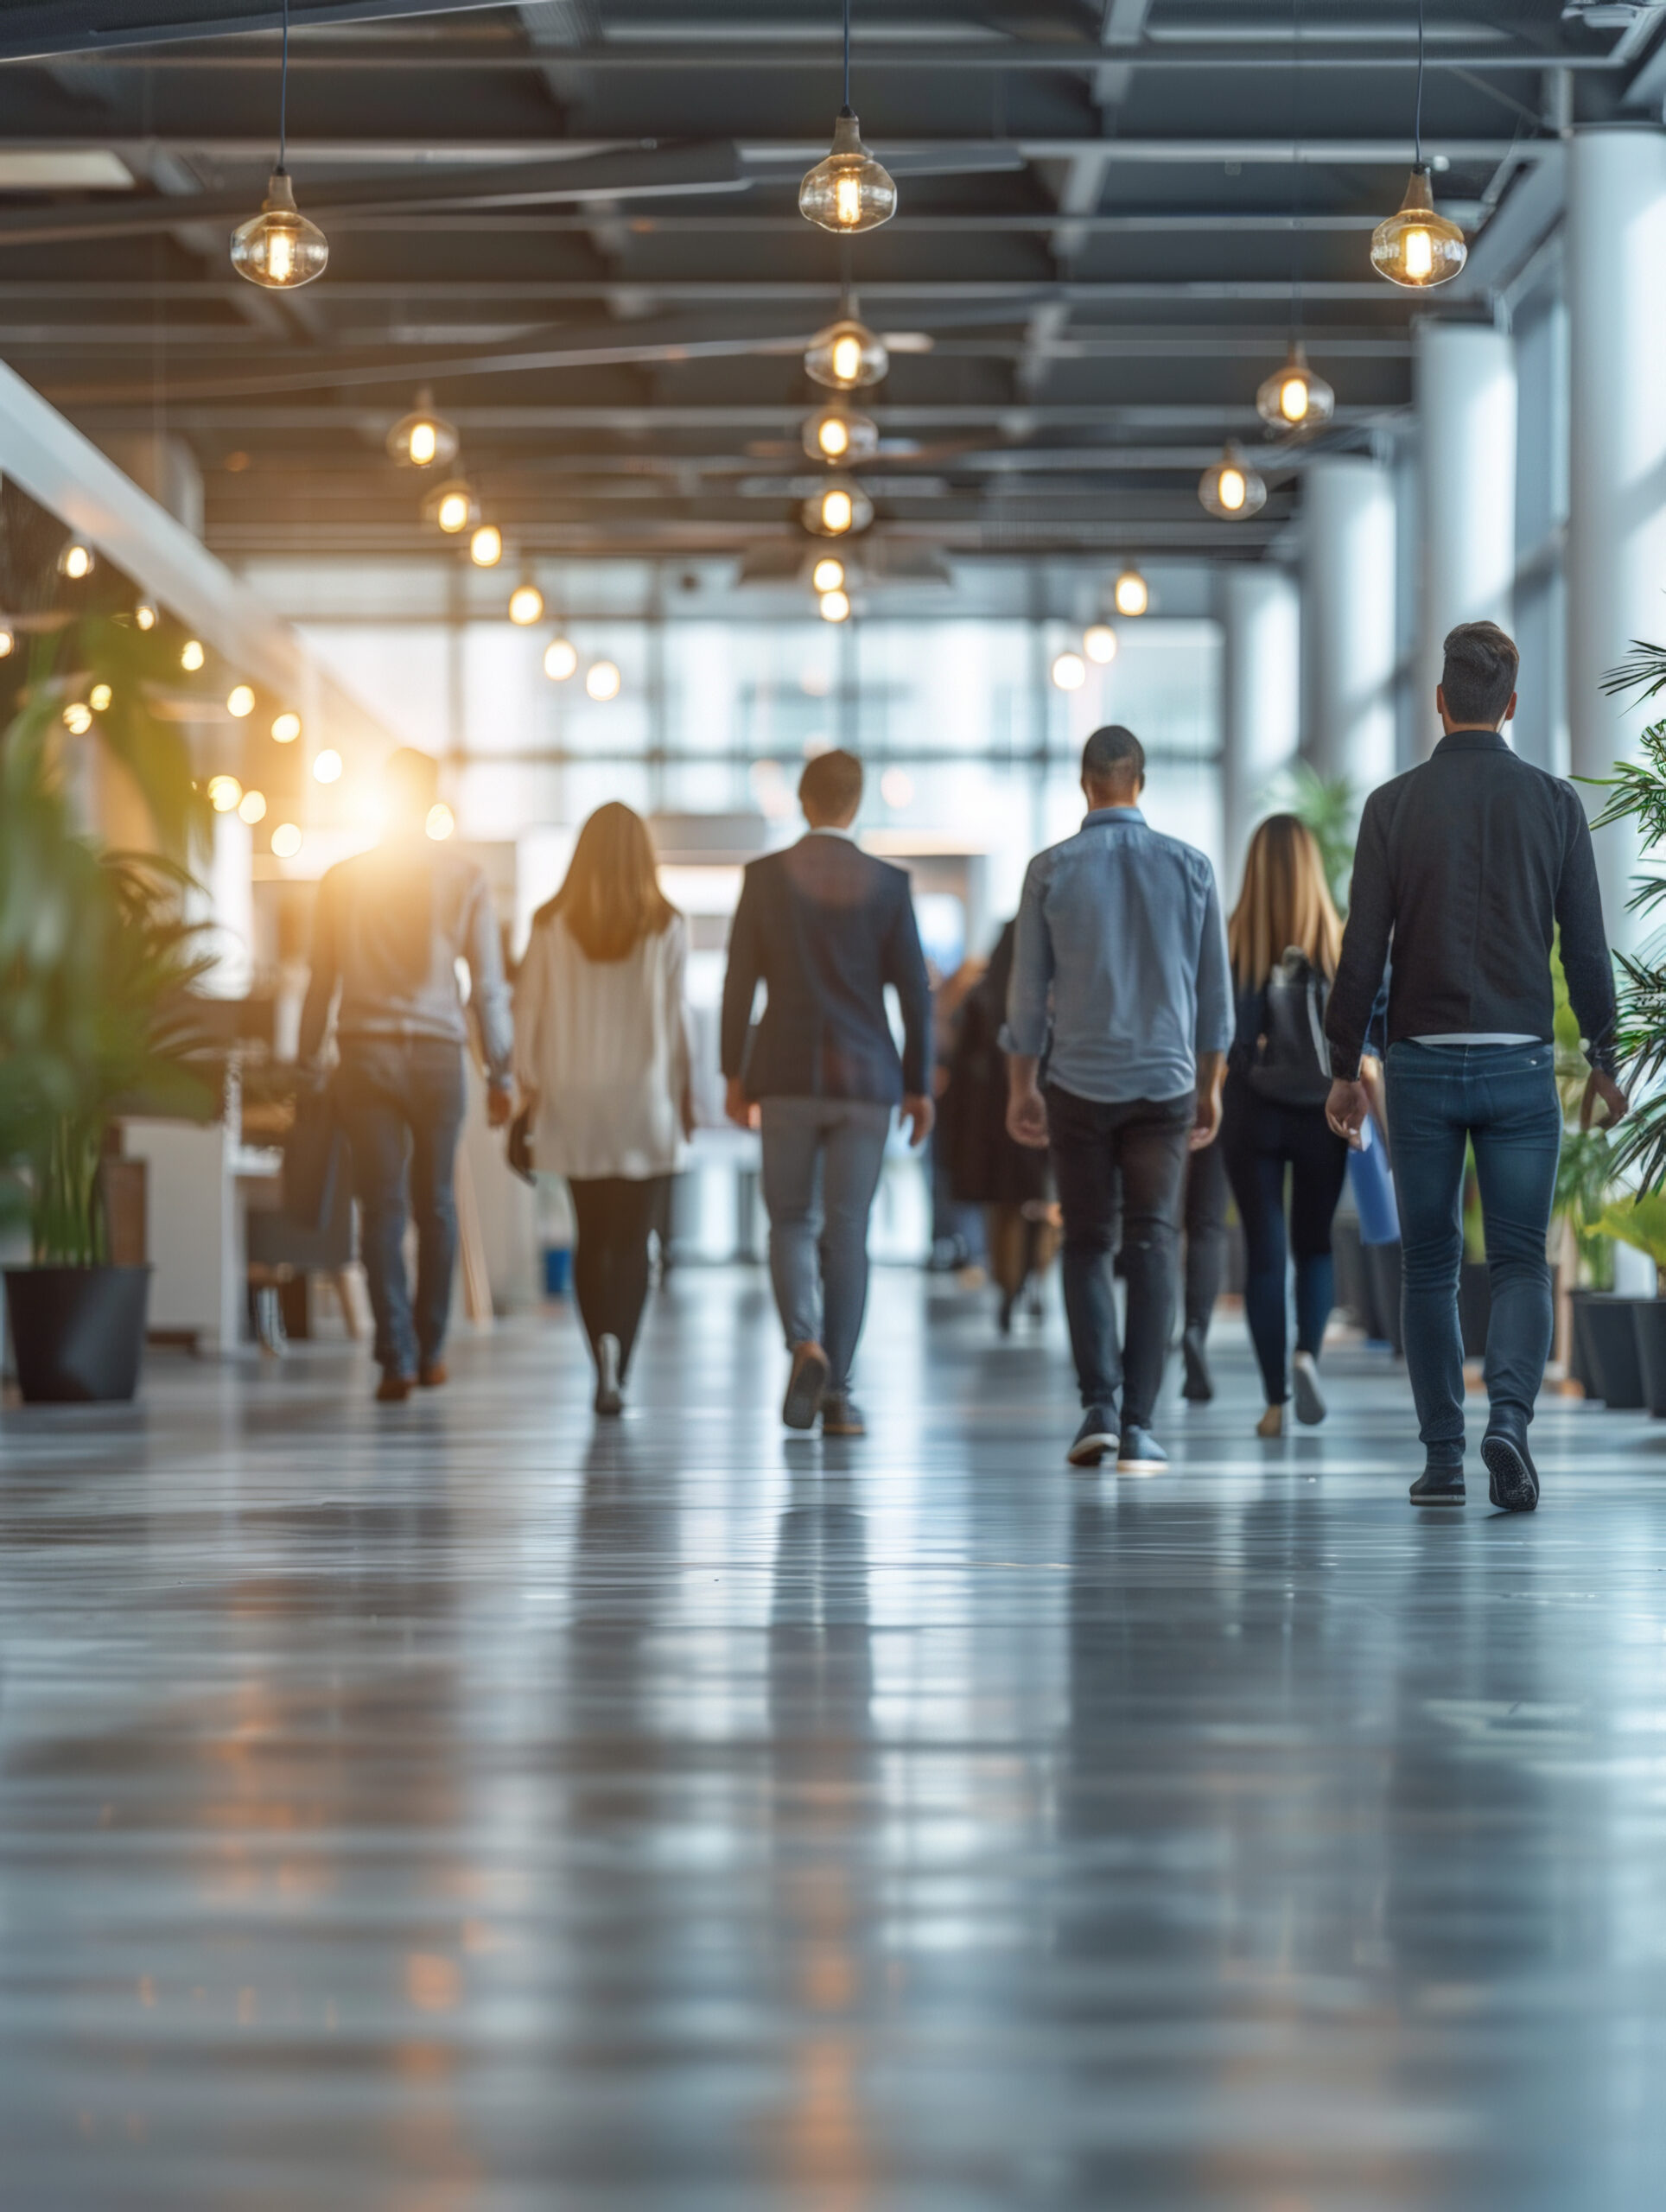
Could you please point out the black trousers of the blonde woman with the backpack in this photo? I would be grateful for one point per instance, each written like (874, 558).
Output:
(1260, 1140)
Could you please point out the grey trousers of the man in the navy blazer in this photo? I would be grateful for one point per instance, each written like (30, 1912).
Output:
(822, 1162)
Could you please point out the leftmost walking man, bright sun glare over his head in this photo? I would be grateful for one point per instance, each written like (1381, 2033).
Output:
(388, 935)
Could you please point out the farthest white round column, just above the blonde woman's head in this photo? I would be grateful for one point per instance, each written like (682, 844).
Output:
(1260, 700)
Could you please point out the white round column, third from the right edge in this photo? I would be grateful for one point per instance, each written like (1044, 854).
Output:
(1349, 620)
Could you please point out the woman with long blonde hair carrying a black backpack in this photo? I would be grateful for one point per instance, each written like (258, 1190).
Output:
(1284, 941)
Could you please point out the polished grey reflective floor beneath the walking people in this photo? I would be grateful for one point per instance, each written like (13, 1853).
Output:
(466, 1808)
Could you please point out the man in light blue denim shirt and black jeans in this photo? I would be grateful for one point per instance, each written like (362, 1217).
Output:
(1121, 983)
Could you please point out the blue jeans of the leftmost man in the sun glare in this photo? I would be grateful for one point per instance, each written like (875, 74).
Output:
(404, 1100)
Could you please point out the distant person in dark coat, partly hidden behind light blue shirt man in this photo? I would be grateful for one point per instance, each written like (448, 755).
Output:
(988, 1169)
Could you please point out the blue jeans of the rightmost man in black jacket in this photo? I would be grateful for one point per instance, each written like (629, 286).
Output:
(1503, 1100)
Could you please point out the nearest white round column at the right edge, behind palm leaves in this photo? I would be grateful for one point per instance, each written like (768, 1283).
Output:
(1616, 550)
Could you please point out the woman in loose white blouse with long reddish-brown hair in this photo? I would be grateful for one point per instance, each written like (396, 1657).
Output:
(603, 1063)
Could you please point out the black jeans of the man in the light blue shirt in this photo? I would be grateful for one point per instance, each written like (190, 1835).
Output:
(1121, 1169)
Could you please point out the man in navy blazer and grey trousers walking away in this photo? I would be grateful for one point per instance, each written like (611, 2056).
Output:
(824, 928)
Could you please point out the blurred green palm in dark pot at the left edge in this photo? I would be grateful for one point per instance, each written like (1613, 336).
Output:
(96, 968)
